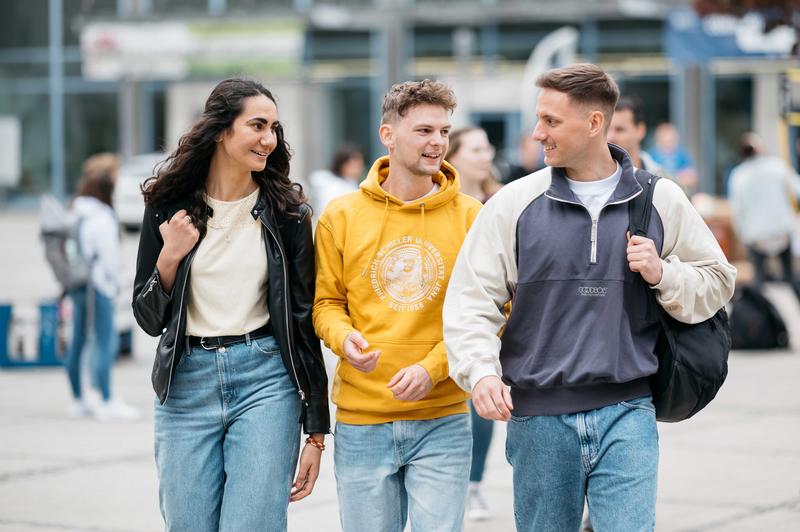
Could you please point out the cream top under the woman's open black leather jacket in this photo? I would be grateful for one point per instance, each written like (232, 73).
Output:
(228, 280)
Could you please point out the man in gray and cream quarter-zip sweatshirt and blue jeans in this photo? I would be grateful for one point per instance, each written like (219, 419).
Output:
(576, 350)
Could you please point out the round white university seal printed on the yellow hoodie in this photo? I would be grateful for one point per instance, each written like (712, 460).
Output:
(407, 273)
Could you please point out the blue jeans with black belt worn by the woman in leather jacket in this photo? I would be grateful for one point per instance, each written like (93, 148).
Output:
(227, 440)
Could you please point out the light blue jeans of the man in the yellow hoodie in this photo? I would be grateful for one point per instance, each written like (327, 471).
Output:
(390, 472)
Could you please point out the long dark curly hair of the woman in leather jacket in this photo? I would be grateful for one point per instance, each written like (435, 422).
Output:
(182, 176)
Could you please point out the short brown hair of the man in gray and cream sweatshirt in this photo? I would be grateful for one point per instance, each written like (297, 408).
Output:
(584, 83)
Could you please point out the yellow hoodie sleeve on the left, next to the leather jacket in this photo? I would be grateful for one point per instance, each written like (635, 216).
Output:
(330, 316)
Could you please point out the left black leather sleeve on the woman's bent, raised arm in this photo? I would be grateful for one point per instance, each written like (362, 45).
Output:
(151, 304)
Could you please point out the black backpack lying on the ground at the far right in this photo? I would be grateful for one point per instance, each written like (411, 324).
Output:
(755, 322)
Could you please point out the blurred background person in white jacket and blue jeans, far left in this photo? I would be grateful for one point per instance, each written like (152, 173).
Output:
(93, 303)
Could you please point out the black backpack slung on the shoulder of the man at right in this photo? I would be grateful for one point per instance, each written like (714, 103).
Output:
(692, 358)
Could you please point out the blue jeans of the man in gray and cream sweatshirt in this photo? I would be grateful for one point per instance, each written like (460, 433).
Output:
(608, 456)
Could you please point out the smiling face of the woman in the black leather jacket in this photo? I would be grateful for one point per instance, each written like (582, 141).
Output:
(252, 136)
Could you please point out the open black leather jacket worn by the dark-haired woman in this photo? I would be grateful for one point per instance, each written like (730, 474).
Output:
(290, 256)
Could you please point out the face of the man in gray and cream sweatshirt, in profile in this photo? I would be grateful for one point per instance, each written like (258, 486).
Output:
(567, 130)
